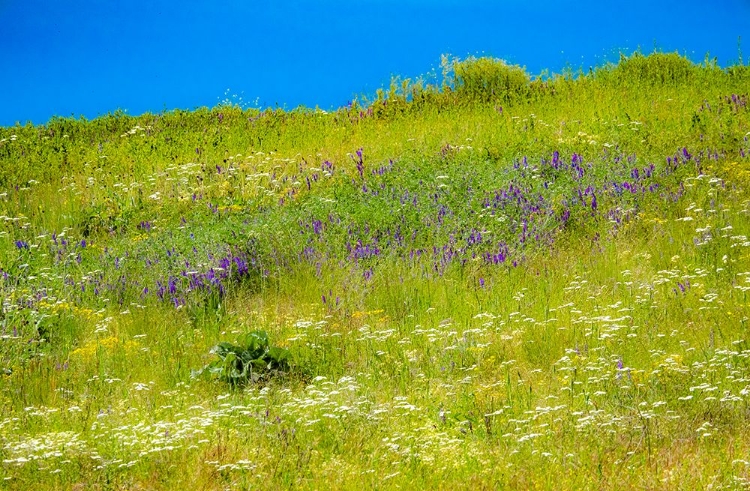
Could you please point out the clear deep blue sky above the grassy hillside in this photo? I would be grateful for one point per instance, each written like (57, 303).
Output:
(93, 57)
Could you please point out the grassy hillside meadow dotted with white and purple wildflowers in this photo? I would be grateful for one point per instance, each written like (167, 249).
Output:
(495, 281)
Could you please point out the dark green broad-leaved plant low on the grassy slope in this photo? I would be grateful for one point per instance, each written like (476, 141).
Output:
(252, 360)
